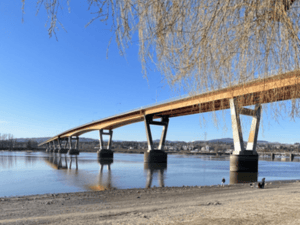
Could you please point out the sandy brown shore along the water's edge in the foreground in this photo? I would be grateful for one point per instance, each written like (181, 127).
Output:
(278, 203)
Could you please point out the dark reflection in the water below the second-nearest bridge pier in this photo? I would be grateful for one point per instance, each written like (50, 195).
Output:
(153, 168)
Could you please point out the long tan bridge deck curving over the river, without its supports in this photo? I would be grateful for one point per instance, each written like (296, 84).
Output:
(271, 89)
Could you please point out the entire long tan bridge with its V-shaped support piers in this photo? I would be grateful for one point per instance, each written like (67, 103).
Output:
(271, 89)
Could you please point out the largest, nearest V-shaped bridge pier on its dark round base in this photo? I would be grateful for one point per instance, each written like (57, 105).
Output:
(244, 160)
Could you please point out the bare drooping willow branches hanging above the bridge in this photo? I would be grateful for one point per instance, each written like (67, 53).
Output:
(201, 45)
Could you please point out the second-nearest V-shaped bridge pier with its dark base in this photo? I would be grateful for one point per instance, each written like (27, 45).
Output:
(156, 155)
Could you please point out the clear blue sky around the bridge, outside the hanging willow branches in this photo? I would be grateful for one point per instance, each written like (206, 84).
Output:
(49, 86)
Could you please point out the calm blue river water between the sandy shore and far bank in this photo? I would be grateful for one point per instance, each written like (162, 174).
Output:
(24, 173)
